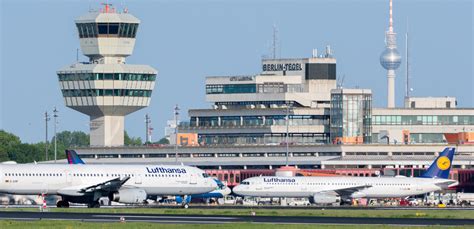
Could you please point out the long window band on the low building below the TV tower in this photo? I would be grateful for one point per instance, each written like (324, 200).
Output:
(423, 120)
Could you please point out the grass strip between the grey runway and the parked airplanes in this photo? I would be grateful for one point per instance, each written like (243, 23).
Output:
(435, 213)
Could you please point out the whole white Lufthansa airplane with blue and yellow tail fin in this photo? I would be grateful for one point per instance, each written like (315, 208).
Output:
(326, 190)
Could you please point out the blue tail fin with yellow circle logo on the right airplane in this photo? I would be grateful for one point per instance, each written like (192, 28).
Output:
(441, 165)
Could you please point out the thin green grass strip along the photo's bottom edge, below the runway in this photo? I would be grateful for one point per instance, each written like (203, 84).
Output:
(49, 224)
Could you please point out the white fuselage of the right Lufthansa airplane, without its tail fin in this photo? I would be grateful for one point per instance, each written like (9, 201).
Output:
(376, 187)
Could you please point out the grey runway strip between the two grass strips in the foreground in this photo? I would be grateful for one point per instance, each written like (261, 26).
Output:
(216, 219)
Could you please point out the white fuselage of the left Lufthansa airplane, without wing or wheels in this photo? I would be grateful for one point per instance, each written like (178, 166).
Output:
(67, 179)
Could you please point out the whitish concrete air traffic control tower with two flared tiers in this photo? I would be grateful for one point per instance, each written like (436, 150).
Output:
(106, 88)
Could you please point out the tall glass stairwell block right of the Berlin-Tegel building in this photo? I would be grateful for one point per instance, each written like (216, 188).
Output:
(351, 117)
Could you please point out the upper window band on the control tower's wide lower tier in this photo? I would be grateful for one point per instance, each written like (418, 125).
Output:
(106, 76)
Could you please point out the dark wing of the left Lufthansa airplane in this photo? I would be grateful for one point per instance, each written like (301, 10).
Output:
(107, 186)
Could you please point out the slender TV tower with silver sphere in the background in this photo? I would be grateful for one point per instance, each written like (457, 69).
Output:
(390, 59)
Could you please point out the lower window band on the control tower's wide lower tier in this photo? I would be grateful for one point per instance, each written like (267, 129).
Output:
(106, 92)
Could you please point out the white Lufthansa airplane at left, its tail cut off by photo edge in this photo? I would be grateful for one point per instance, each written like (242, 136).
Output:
(81, 183)
